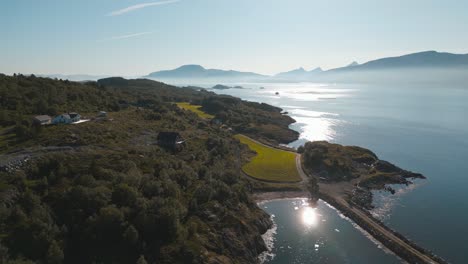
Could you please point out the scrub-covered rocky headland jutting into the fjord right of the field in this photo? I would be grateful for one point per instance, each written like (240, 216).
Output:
(331, 163)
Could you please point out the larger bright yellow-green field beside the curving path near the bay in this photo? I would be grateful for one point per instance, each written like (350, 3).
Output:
(270, 164)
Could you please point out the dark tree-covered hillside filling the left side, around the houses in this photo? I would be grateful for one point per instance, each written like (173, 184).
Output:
(104, 192)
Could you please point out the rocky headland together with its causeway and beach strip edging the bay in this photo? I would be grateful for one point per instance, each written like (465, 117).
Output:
(344, 177)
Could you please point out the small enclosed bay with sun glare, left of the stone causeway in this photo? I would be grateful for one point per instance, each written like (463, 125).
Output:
(305, 234)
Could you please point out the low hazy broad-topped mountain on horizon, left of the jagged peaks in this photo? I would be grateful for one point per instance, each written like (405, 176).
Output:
(198, 72)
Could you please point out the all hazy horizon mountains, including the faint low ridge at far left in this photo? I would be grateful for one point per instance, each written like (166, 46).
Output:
(426, 66)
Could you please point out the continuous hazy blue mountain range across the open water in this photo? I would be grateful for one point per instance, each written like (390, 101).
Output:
(421, 61)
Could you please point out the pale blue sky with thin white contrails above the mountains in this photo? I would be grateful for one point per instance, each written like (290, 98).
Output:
(136, 37)
